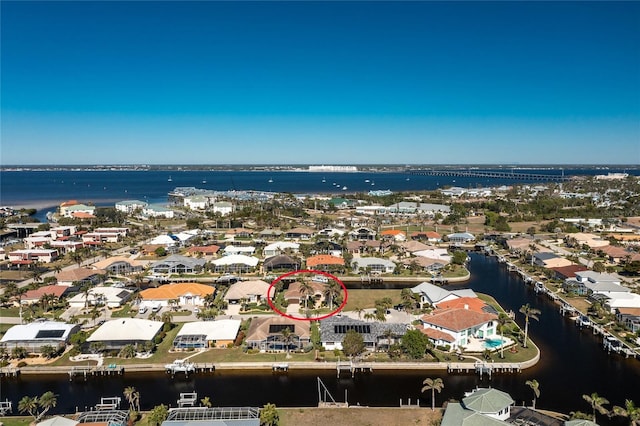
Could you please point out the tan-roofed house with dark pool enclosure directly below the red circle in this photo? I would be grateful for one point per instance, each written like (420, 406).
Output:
(265, 334)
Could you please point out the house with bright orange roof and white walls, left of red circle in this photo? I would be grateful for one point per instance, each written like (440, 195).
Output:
(186, 294)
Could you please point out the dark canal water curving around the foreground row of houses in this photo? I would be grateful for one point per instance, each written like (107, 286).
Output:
(572, 363)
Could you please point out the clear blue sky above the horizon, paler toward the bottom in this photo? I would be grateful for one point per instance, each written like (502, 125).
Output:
(320, 82)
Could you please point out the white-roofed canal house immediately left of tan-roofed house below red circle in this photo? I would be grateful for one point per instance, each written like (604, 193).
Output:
(207, 334)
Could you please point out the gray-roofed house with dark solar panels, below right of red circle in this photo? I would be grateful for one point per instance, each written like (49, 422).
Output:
(334, 329)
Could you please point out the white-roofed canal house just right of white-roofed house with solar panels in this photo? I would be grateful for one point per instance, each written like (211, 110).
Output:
(117, 333)
